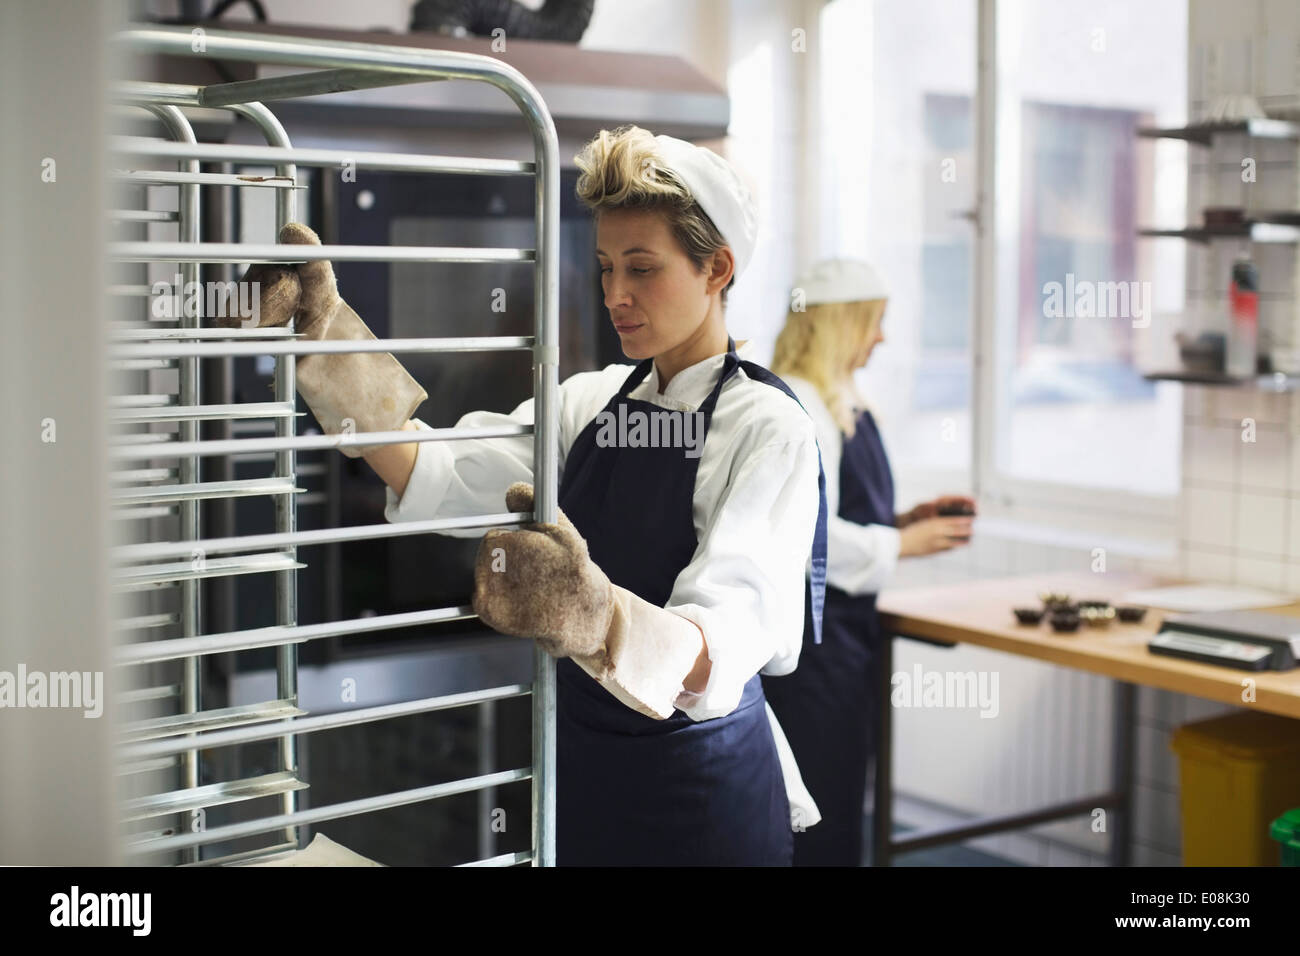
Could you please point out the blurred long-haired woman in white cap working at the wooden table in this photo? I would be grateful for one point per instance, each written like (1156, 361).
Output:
(829, 707)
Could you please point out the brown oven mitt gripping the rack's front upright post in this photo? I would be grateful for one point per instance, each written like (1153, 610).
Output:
(540, 582)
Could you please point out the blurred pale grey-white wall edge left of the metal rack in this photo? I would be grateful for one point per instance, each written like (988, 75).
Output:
(57, 782)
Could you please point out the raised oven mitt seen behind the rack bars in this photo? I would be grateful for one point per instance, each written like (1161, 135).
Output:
(348, 392)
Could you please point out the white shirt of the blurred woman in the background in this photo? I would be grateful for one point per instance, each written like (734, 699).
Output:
(860, 559)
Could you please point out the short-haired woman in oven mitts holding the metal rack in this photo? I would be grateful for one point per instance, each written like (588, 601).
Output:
(677, 572)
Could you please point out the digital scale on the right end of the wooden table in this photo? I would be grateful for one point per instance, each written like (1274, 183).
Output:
(1245, 641)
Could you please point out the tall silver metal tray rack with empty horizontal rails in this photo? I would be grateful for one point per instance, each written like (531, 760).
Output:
(150, 745)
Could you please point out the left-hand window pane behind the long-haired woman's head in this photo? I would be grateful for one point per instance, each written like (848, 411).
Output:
(898, 180)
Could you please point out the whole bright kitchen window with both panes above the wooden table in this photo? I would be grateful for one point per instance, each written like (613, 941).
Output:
(989, 377)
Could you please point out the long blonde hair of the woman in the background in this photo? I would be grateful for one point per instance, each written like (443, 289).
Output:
(820, 347)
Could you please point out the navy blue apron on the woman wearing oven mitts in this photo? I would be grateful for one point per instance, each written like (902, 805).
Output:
(632, 790)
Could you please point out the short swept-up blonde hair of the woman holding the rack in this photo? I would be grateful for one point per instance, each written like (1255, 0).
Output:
(622, 171)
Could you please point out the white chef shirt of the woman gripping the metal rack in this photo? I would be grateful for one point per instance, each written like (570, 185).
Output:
(755, 509)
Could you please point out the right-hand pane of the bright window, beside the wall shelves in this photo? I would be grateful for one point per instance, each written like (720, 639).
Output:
(1077, 296)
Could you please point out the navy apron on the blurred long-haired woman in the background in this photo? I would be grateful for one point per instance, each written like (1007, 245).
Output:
(829, 706)
